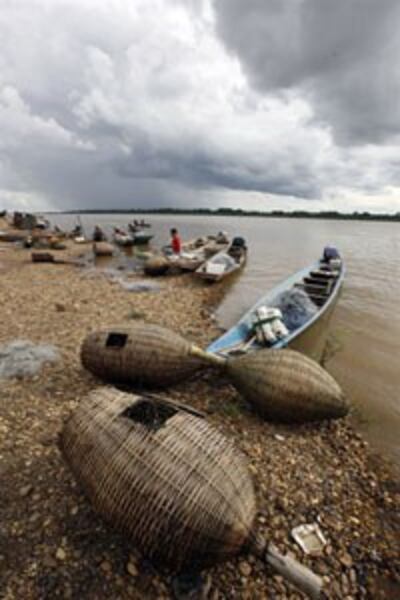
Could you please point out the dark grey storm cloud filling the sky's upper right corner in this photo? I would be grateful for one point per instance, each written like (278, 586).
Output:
(341, 54)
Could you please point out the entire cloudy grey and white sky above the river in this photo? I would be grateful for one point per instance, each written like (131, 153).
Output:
(258, 104)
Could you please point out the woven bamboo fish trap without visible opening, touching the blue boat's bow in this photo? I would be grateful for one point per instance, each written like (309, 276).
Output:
(287, 386)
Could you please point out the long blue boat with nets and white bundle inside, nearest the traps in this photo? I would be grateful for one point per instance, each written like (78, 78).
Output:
(305, 302)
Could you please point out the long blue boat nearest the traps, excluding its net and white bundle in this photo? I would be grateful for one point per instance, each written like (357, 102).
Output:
(321, 283)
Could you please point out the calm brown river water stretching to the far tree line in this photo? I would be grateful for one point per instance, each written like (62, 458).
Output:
(365, 328)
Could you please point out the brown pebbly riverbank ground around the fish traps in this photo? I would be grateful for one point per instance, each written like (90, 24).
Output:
(52, 544)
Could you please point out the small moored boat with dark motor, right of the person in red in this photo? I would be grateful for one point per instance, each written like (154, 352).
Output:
(225, 262)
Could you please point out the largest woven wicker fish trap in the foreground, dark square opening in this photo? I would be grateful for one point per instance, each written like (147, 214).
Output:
(163, 475)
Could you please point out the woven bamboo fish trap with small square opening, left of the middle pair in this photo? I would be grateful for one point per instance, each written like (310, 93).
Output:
(141, 354)
